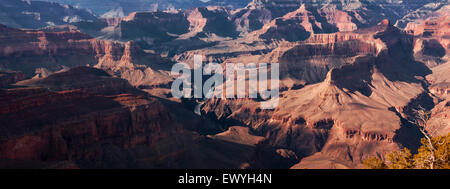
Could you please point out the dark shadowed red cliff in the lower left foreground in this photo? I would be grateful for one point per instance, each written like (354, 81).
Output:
(63, 136)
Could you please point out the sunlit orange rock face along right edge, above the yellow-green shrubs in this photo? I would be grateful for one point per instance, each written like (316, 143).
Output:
(432, 47)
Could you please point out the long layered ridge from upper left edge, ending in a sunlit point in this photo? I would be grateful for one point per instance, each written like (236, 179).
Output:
(36, 52)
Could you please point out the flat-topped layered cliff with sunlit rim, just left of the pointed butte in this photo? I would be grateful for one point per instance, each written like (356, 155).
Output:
(310, 61)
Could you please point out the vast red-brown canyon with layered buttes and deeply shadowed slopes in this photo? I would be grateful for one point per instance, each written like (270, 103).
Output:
(96, 92)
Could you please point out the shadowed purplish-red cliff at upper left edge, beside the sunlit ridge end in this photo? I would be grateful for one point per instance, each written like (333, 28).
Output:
(27, 50)
